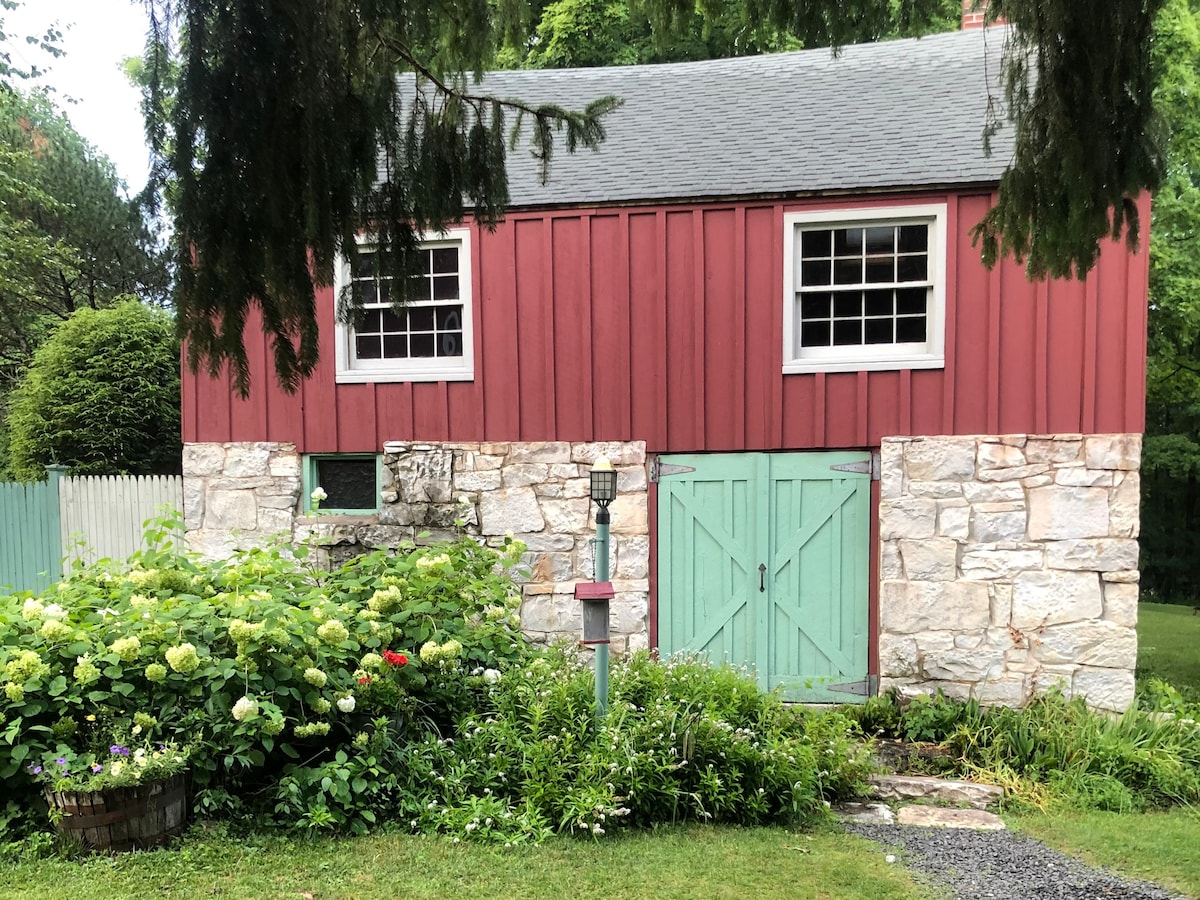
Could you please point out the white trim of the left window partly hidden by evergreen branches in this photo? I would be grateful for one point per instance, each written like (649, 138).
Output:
(351, 371)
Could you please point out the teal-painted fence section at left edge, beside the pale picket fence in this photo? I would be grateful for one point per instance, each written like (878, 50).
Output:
(31, 535)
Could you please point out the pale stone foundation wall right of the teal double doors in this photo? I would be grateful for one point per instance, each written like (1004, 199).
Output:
(1009, 566)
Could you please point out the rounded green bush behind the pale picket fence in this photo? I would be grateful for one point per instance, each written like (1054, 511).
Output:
(101, 397)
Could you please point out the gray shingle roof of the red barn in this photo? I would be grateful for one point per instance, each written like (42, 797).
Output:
(886, 116)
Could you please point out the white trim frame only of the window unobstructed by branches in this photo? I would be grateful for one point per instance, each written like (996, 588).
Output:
(874, 358)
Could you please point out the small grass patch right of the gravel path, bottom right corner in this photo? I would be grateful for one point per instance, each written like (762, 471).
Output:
(1163, 848)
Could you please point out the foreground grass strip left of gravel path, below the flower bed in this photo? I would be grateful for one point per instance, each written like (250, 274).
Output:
(670, 863)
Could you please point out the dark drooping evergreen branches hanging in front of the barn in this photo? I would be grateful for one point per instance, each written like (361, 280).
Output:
(291, 133)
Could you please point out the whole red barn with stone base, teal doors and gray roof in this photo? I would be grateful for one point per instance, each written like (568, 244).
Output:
(849, 454)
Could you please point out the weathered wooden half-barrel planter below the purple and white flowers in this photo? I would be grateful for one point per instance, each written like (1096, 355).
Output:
(124, 819)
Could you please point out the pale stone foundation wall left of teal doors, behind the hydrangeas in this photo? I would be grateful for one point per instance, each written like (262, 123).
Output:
(243, 495)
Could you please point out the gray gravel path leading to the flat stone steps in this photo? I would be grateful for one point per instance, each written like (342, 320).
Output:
(1001, 866)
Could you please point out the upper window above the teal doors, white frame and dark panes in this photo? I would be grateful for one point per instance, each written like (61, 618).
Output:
(865, 290)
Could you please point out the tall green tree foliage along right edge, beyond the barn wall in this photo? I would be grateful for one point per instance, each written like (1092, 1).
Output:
(1172, 453)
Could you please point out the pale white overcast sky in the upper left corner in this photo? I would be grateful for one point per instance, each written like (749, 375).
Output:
(89, 85)
